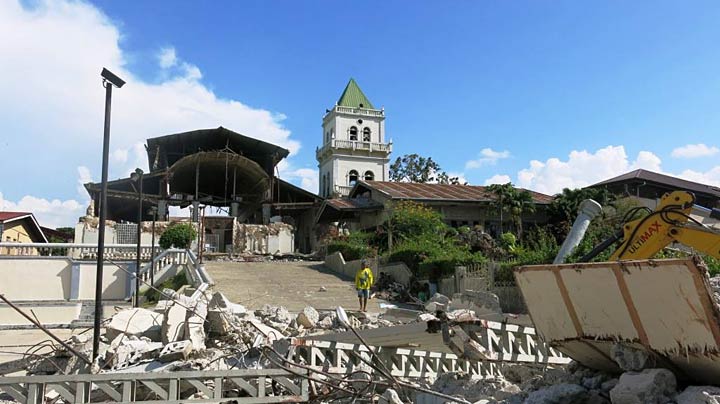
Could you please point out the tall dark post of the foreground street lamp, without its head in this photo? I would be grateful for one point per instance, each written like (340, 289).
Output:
(101, 226)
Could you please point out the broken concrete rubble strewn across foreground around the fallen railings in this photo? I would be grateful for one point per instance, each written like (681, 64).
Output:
(208, 332)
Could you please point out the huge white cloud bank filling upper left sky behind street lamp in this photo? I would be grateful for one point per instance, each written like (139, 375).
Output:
(74, 40)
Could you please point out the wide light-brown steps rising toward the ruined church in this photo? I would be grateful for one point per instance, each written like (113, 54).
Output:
(290, 284)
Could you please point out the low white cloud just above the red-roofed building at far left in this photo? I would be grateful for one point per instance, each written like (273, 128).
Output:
(49, 213)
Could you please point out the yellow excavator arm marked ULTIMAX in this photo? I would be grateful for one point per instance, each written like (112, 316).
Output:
(670, 222)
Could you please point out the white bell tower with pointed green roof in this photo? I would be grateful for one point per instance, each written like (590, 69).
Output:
(354, 144)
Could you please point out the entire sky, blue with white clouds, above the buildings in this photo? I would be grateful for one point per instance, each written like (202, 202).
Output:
(544, 94)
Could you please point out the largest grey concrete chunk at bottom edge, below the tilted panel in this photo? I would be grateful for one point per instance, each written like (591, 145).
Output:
(647, 387)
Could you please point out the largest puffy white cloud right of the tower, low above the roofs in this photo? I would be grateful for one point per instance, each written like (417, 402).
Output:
(583, 168)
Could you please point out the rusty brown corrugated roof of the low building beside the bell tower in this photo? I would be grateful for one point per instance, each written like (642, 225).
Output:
(441, 192)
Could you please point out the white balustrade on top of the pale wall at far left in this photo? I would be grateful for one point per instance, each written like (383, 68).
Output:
(76, 250)
